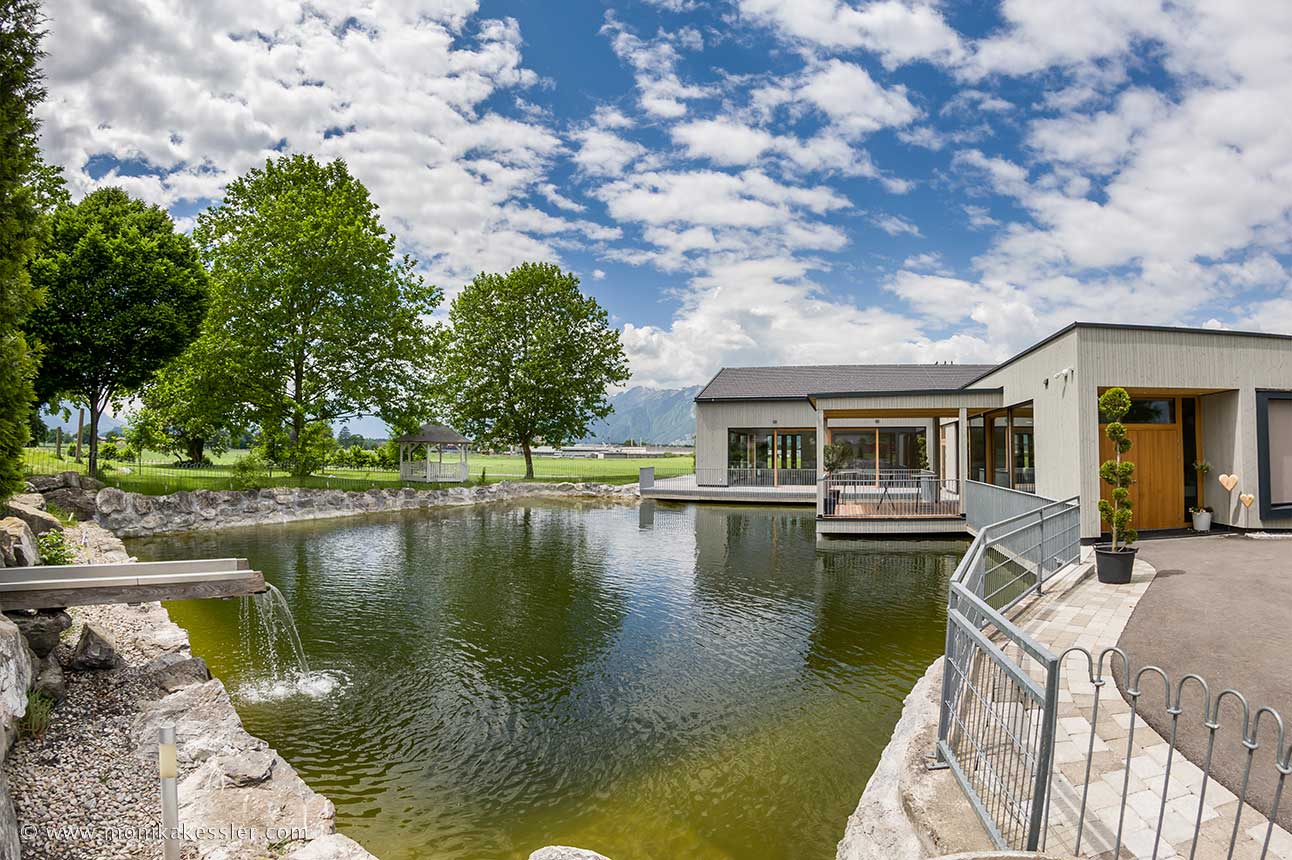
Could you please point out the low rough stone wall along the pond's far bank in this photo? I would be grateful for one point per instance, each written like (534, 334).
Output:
(138, 516)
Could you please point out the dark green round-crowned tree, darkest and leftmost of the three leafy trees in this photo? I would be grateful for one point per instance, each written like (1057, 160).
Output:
(125, 295)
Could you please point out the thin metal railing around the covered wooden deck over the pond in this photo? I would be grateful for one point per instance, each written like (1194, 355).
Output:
(888, 494)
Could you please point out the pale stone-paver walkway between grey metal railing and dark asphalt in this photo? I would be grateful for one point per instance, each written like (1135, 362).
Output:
(1078, 611)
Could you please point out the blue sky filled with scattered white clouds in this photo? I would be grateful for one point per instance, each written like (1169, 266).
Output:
(742, 181)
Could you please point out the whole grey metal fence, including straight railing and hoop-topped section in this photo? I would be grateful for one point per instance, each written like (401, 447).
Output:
(1038, 786)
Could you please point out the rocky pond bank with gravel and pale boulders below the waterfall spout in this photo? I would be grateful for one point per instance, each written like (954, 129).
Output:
(87, 787)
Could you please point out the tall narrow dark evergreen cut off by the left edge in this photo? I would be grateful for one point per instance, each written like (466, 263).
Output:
(21, 227)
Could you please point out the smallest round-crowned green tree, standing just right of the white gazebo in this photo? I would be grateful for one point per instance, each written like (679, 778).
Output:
(529, 357)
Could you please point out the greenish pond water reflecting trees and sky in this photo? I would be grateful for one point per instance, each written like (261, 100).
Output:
(662, 682)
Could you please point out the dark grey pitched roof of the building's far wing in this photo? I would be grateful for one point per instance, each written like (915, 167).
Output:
(800, 383)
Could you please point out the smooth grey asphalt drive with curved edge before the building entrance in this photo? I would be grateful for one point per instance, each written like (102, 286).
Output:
(1220, 608)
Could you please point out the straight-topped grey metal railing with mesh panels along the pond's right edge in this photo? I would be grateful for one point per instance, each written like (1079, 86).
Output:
(998, 710)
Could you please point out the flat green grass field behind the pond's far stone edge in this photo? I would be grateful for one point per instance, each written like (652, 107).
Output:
(158, 475)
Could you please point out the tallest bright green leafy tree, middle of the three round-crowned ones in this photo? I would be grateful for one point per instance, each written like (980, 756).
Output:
(317, 314)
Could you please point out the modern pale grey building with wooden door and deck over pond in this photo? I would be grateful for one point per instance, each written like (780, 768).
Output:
(893, 447)
